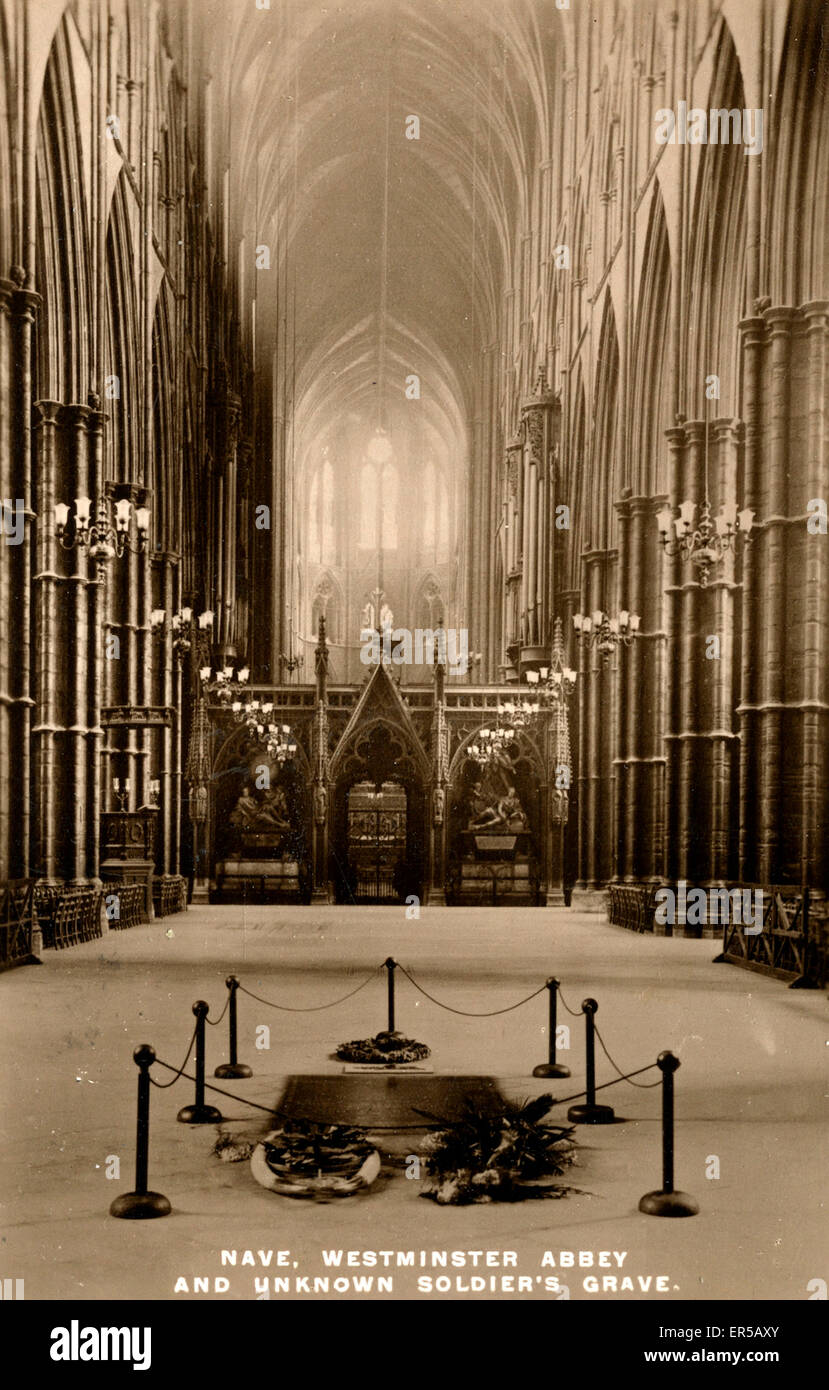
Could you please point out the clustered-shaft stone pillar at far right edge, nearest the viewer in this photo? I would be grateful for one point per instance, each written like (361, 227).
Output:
(785, 690)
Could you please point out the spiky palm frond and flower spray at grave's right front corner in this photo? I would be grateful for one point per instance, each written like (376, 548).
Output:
(504, 1156)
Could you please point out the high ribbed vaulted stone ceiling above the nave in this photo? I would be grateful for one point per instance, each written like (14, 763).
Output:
(389, 255)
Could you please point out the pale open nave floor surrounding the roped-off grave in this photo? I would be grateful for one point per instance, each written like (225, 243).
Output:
(750, 1092)
